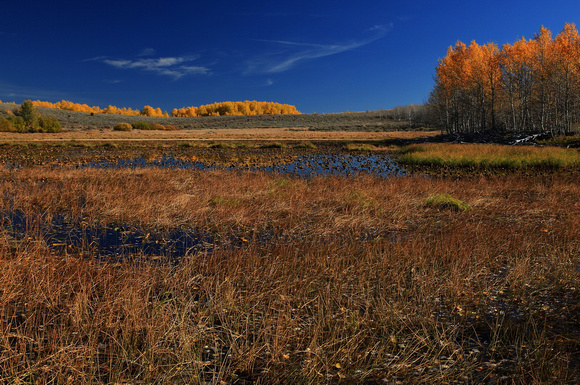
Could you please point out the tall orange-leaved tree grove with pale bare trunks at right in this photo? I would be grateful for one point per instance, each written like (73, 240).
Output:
(528, 86)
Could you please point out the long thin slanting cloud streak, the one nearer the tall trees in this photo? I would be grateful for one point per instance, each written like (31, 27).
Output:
(294, 53)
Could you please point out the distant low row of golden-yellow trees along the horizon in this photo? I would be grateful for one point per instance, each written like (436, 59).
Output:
(215, 109)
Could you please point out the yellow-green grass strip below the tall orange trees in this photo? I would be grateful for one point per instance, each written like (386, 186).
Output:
(489, 155)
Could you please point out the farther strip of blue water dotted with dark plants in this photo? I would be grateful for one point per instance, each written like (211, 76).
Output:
(307, 165)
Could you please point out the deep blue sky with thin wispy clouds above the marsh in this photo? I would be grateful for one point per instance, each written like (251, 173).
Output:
(322, 56)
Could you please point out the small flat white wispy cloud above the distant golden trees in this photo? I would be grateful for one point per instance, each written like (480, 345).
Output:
(175, 67)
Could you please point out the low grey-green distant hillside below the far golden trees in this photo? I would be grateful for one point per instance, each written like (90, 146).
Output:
(383, 120)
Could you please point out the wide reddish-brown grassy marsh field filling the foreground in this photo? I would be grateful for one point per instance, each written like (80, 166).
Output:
(246, 276)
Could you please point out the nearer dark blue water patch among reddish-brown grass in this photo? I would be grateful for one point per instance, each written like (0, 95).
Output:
(116, 243)
